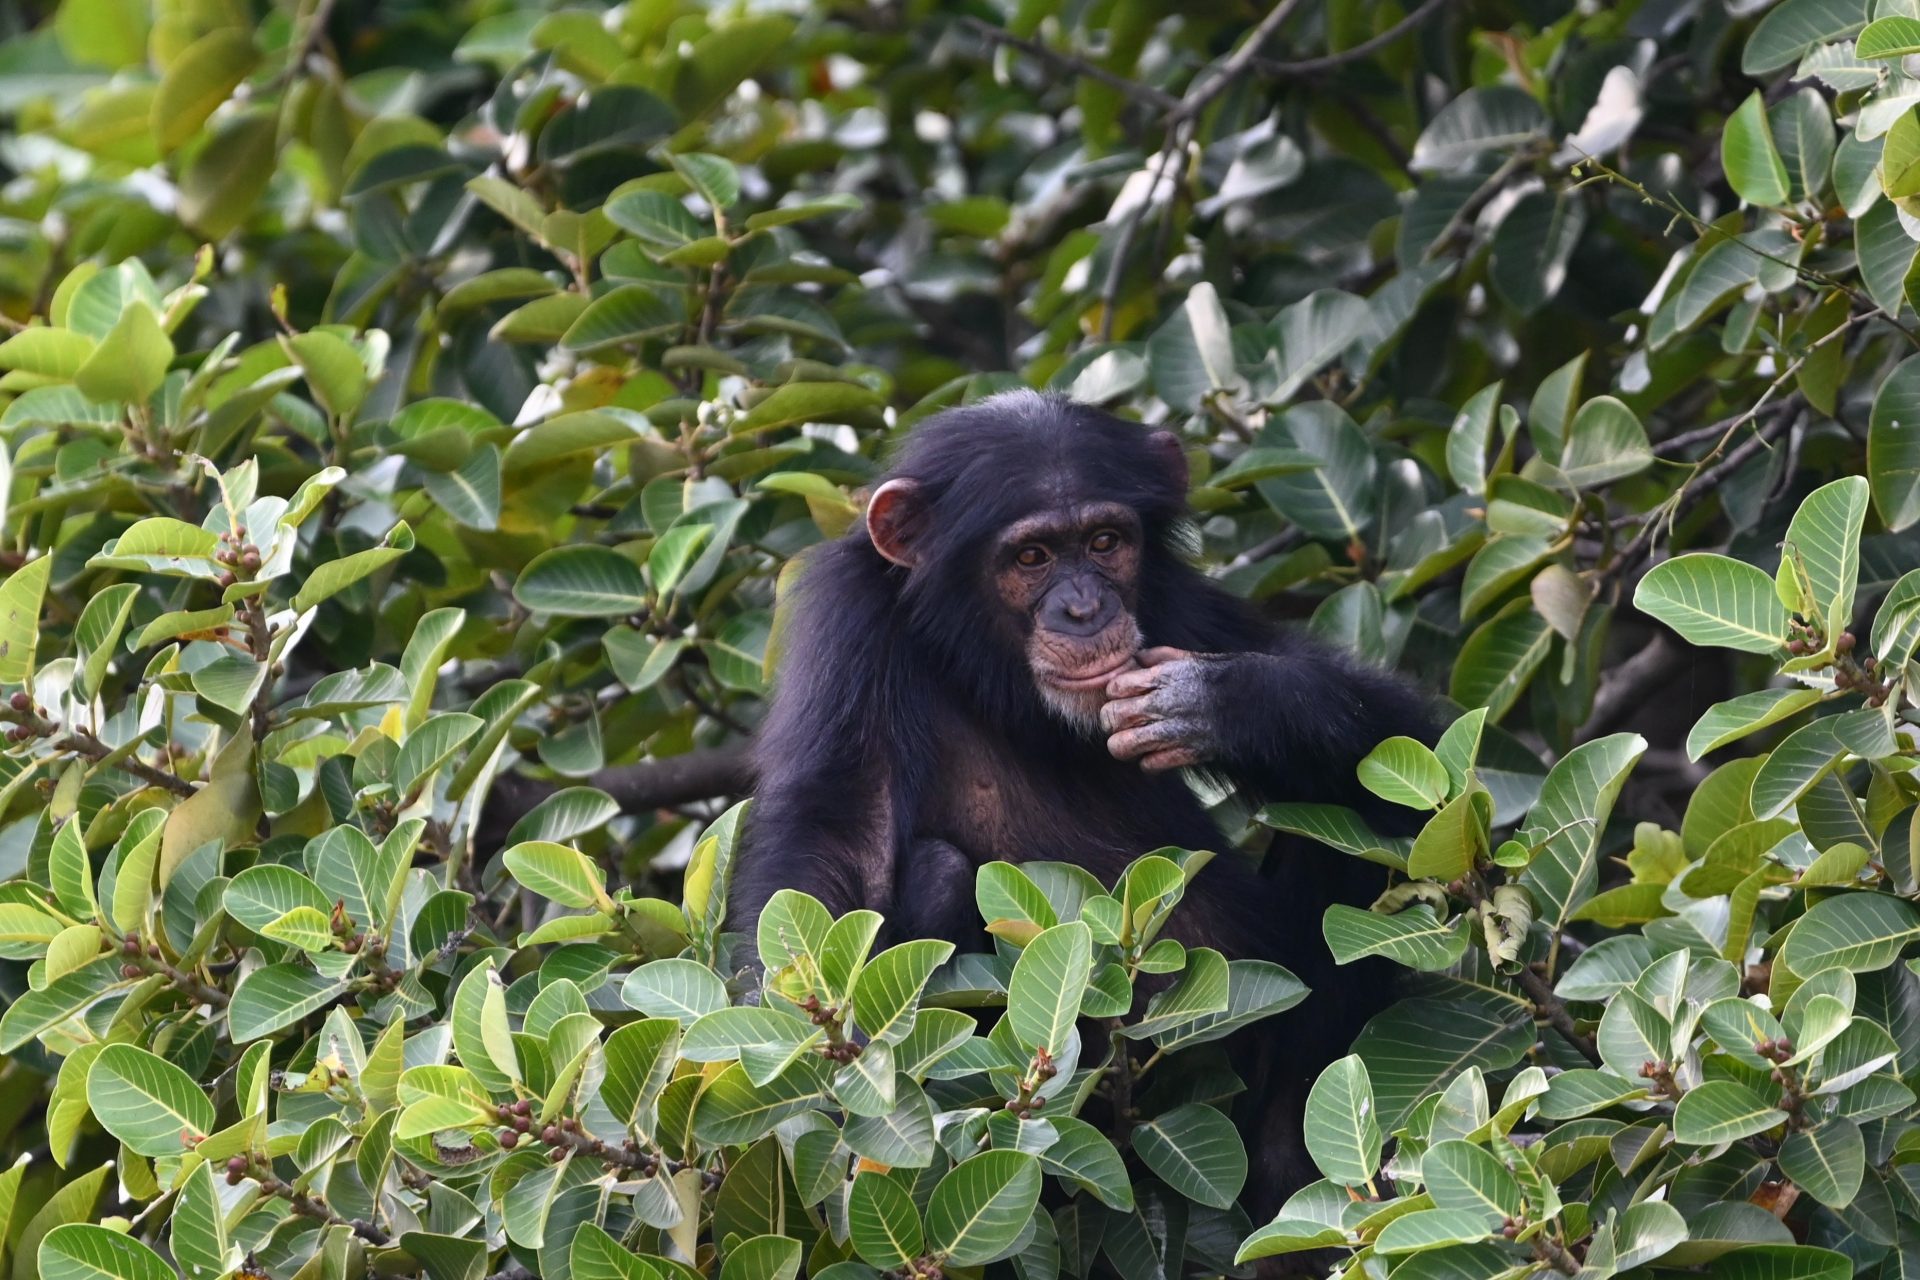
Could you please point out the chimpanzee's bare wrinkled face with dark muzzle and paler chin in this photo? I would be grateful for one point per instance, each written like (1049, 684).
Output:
(1072, 579)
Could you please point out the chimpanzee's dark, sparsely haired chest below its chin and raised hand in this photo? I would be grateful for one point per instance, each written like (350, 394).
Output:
(992, 801)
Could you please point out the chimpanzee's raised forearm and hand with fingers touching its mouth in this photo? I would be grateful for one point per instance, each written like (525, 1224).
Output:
(1289, 723)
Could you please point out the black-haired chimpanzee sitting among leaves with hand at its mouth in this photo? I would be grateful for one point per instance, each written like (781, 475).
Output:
(1013, 661)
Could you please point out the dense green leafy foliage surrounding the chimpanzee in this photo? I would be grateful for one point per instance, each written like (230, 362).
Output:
(408, 415)
